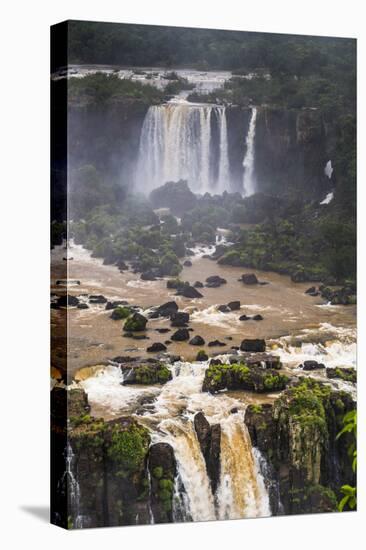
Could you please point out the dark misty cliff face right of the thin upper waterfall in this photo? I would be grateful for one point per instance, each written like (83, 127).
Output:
(291, 151)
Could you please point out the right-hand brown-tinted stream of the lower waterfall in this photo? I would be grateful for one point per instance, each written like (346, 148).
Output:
(242, 492)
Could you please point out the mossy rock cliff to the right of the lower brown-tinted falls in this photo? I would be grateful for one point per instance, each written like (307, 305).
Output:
(297, 435)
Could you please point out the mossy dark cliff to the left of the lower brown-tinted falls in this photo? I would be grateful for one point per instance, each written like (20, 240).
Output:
(100, 470)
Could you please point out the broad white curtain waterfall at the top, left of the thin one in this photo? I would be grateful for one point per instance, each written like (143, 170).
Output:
(176, 143)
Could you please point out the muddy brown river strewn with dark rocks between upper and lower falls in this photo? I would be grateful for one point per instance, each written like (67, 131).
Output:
(94, 337)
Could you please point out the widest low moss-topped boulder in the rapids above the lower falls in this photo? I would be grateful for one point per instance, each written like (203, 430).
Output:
(243, 377)
